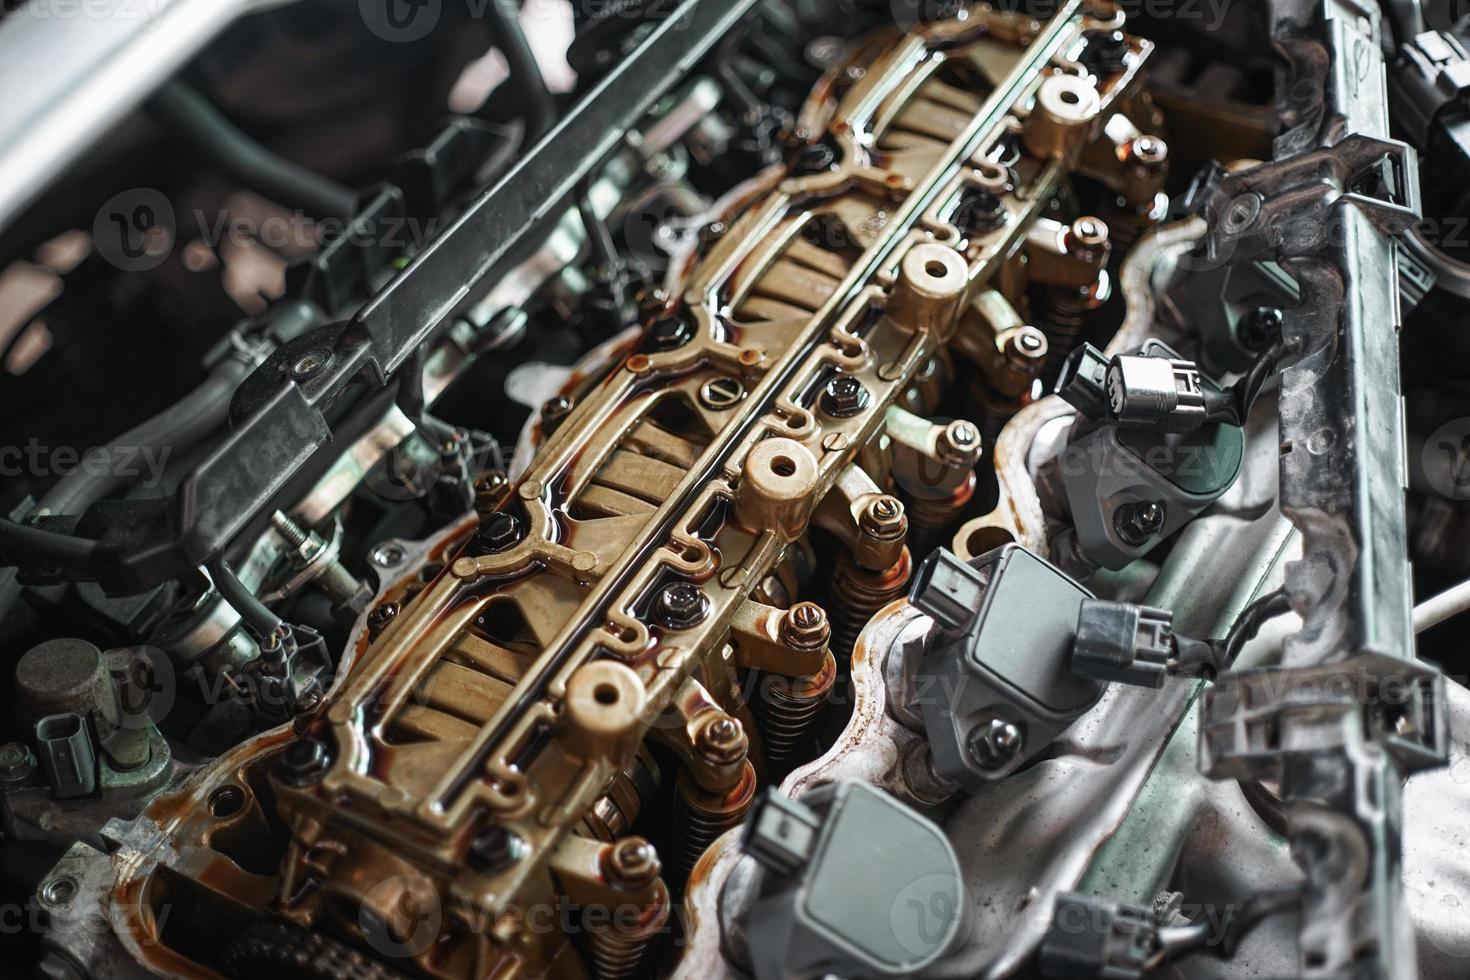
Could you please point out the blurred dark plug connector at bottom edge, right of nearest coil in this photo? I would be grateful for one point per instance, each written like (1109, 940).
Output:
(1097, 940)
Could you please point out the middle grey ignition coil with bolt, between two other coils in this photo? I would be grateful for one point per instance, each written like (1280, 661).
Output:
(996, 682)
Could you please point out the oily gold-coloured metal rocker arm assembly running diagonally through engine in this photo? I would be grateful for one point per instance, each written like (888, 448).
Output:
(509, 700)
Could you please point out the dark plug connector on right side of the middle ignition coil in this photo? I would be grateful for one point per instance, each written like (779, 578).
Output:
(1124, 643)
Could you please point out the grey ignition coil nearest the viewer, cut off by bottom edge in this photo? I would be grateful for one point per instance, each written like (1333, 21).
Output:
(856, 885)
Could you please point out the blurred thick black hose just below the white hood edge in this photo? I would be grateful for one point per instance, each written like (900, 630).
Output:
(195, 118)
